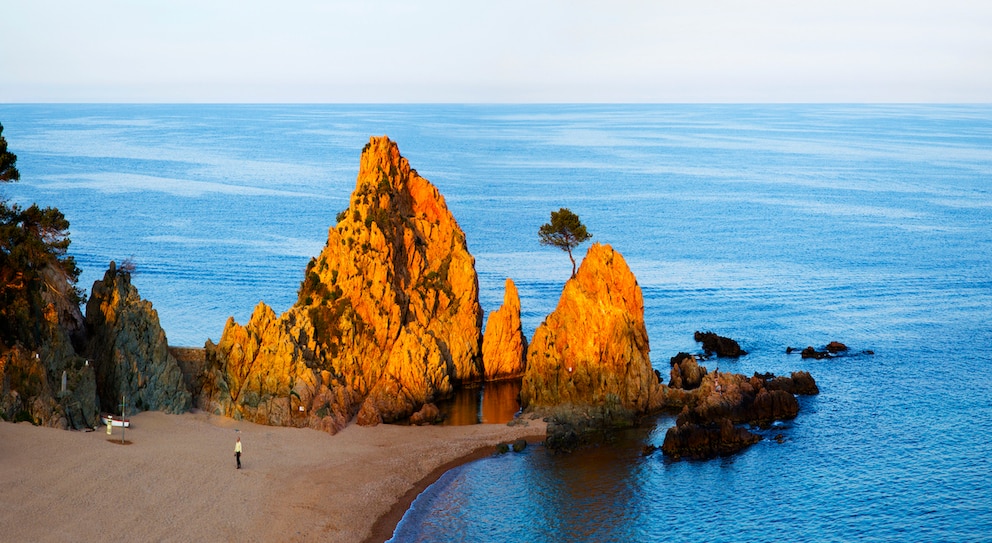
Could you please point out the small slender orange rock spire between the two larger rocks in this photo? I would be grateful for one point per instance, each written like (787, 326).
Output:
(504, 347)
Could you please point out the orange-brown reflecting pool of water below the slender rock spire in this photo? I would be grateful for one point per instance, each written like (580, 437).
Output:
(495, 402)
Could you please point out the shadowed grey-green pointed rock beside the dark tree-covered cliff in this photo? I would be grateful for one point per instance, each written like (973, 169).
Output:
(129, 350)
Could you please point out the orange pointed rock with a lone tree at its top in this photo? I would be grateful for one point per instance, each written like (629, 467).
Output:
(593, 349)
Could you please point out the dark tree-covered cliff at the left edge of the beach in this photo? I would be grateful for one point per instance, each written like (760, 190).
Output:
(39, 316)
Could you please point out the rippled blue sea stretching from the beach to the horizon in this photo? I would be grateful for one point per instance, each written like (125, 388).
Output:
(776, 225)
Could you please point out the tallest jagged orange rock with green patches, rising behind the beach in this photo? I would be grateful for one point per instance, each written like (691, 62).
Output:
(387, 318)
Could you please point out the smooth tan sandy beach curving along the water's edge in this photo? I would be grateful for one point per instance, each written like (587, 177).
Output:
(176, 480)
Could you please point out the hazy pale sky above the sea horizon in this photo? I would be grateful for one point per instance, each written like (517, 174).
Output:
(496, 51)
